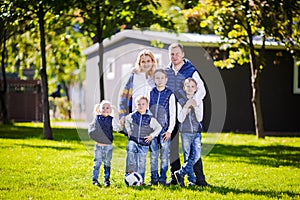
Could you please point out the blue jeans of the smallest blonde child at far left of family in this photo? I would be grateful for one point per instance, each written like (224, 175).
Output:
(102, 154)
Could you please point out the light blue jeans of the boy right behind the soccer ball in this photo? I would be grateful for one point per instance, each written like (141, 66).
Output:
(136, 158)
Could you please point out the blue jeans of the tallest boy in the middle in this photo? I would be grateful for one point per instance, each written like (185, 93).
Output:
(159, 146)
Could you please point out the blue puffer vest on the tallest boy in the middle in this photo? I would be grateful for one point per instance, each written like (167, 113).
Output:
(159, 106)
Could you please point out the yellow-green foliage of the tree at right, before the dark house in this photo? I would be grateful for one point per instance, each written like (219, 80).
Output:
(239, 21)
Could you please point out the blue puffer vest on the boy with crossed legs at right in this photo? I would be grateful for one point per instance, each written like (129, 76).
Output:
(190, 124)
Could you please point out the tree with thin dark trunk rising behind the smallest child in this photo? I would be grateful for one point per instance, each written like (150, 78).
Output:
(102, 19)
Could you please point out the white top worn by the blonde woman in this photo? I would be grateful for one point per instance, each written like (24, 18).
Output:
(141, 86)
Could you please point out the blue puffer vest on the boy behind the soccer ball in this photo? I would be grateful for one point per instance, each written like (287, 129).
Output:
(141, 127)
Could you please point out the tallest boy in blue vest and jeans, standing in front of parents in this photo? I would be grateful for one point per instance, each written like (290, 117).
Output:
(163, 106)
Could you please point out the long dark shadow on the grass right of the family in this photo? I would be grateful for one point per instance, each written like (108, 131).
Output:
(273, 156)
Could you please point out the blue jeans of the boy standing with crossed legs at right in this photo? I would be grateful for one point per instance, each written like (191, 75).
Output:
(191, 145)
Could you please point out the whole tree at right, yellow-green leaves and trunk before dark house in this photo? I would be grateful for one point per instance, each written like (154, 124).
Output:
(239, 21)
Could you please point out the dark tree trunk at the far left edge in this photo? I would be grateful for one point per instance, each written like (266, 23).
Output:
(4, 91)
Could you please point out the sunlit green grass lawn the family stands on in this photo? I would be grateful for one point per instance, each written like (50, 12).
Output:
(239, 166)
